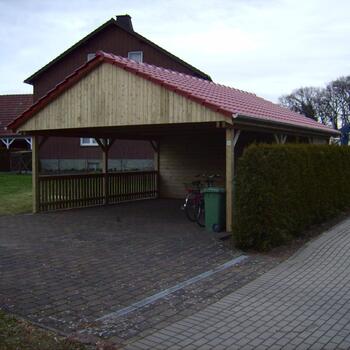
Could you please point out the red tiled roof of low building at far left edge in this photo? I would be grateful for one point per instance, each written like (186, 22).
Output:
(11, 106)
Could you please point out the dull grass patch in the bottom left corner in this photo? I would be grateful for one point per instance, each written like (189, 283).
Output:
(20, 335)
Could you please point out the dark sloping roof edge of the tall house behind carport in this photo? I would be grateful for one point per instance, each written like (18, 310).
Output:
(113, 22)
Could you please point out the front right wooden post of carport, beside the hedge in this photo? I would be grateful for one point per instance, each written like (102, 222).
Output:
(229, 178)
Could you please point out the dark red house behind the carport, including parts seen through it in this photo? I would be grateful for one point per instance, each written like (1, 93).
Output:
(116, 36)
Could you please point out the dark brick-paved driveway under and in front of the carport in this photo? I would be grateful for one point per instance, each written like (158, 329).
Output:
(67, 269)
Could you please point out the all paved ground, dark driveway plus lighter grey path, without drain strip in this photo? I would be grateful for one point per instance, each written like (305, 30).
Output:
(87, 265)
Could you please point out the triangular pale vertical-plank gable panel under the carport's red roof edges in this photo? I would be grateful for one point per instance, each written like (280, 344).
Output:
(111, 96)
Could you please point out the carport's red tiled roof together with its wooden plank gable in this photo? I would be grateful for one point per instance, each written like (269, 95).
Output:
(114, 91)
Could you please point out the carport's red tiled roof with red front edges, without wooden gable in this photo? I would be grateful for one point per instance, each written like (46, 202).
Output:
(235, 104)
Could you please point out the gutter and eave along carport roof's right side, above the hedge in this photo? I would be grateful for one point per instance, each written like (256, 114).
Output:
(292, 127)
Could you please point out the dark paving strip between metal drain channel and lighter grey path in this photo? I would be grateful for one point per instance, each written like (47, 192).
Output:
(180, 304)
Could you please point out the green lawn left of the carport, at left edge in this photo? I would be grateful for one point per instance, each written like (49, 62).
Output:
(15, 193)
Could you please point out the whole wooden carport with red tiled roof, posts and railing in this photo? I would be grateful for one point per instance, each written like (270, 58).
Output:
(194, 126)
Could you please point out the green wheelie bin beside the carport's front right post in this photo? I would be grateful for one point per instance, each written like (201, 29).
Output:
(215, 209)
